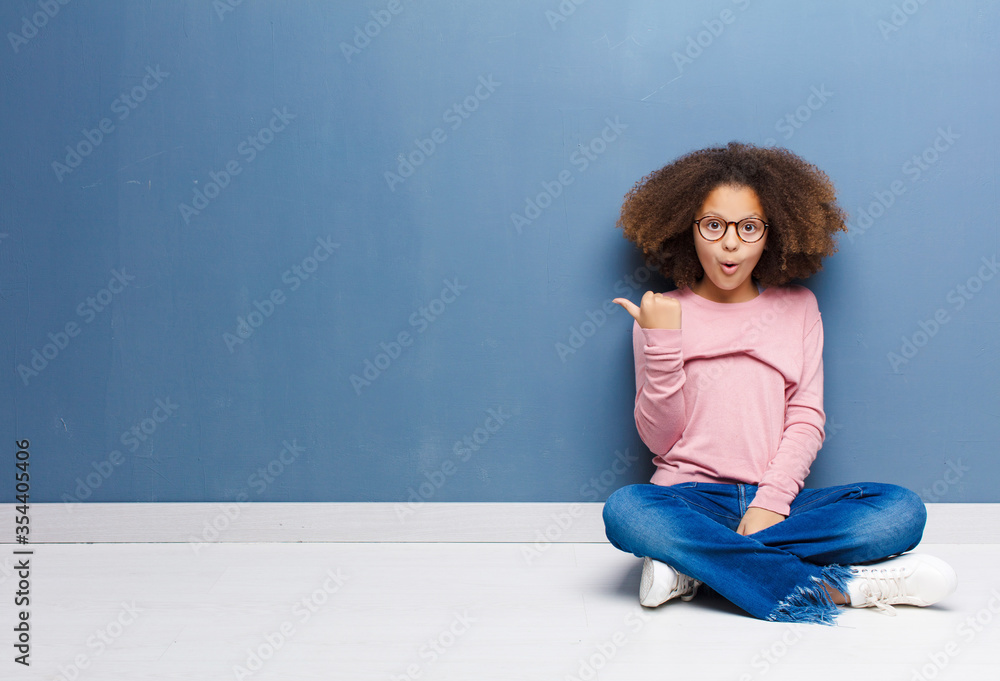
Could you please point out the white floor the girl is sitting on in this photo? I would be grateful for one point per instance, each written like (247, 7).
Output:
(398, 611)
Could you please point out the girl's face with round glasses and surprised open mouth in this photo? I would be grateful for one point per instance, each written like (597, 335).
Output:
(722, 283)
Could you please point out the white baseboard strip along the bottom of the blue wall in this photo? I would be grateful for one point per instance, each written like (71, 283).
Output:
(382, 522)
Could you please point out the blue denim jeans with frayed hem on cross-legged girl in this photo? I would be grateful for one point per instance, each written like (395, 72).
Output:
(778, 573)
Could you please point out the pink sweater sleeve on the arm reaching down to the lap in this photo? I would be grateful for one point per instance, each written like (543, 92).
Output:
(803, 433)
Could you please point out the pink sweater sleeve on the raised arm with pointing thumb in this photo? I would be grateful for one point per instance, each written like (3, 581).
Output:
(659, 378)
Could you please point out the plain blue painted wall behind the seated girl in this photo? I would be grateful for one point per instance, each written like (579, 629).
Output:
(215, 214)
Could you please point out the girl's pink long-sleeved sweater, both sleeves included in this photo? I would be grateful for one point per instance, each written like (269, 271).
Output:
(736, 394)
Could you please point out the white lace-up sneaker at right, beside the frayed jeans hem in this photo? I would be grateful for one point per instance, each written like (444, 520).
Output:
(910, 579)
